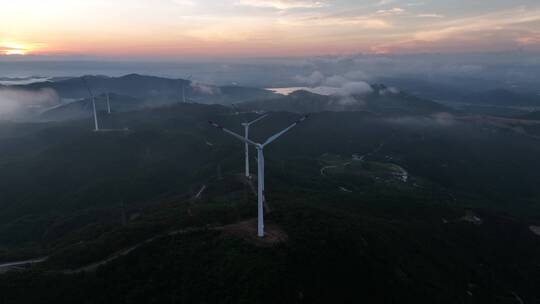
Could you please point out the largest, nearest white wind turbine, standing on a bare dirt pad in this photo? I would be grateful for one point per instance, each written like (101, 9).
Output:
(260, 168)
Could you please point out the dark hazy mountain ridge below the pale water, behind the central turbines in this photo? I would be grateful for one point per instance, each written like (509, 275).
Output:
(381, 100)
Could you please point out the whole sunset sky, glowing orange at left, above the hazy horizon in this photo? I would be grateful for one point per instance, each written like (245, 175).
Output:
(264, 28)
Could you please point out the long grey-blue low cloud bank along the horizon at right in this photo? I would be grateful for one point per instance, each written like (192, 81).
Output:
(441, 68)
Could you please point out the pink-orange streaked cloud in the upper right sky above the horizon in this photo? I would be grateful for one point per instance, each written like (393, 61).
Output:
(497, 30)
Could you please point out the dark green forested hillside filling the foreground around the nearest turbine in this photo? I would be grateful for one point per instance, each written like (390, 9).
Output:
(371, 207)
